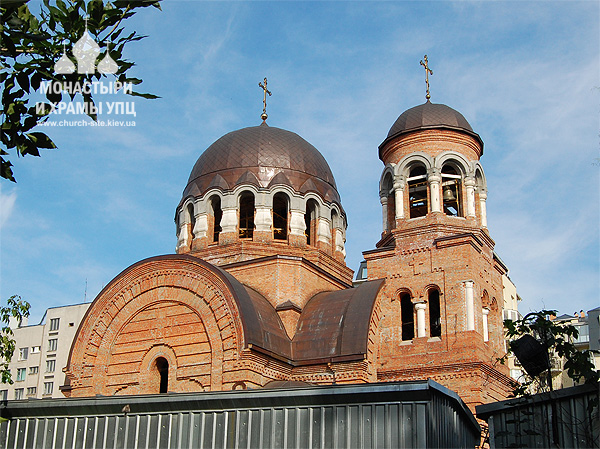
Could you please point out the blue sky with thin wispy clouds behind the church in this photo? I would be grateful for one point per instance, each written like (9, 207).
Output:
(526, 75)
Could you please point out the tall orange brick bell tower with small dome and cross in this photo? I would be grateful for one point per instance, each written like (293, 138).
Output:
(441, 310)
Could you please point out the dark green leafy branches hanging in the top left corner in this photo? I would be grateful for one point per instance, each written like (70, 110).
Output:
(32, 41)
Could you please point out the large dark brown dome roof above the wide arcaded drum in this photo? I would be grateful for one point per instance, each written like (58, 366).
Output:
(263, 156)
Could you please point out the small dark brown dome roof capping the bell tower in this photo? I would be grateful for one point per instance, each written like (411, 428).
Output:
(429, 116)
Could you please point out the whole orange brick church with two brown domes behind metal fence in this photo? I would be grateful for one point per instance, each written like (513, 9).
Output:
(258, 293)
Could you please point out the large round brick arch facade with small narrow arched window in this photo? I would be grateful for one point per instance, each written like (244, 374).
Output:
(200, 291)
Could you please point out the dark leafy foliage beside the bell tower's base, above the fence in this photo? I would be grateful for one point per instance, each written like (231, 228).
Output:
(558, 337)
